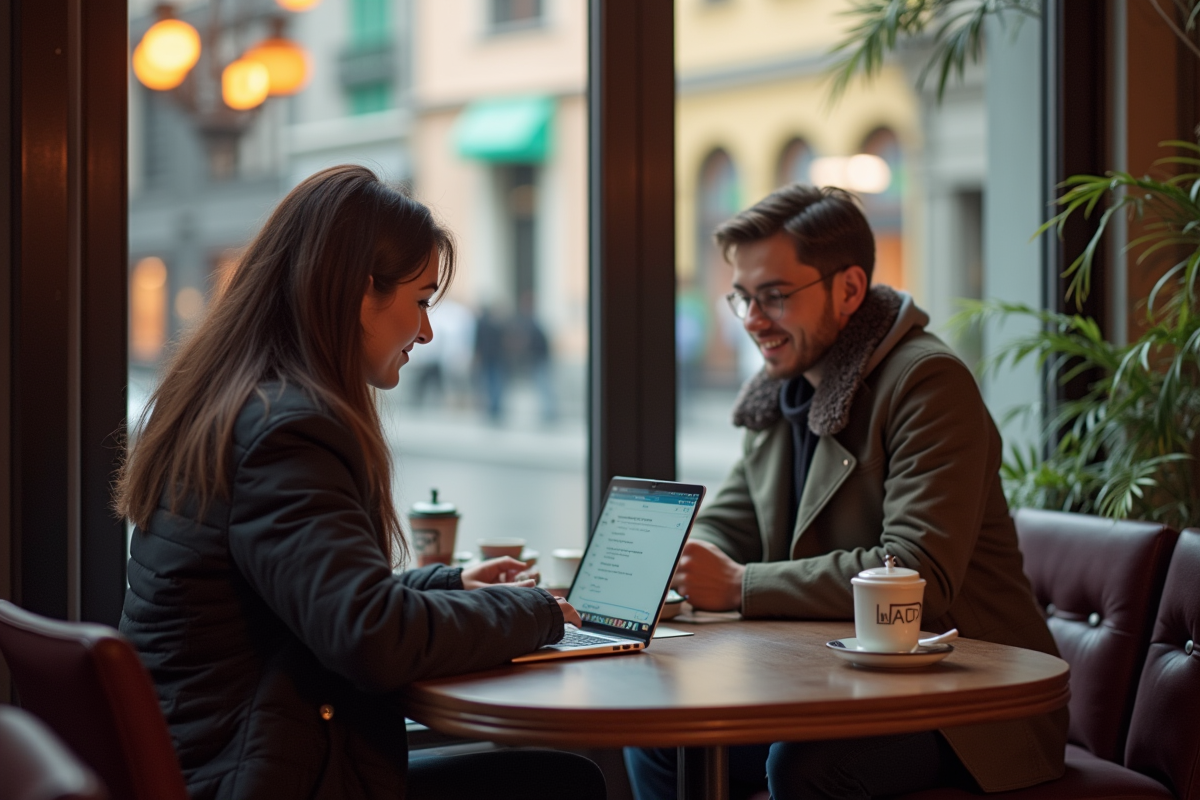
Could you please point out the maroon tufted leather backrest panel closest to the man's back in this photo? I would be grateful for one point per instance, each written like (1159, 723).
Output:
(1100, 582)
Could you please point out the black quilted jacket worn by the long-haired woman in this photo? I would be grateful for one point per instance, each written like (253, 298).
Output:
(278, 634)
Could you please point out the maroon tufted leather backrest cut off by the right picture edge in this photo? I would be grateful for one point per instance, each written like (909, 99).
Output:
(1165, 738)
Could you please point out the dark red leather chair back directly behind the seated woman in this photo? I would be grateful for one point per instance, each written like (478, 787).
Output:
(88, 685)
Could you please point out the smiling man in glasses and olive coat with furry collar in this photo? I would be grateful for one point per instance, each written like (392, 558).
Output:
(866, 436)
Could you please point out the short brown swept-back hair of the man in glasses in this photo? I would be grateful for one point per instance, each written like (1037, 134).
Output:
(826, 225)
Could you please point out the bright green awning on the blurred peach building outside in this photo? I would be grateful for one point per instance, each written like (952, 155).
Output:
(514, 130)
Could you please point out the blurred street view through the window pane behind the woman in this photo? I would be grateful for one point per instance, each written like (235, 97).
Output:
(491, 134)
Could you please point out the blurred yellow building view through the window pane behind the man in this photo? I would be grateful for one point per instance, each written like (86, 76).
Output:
(752, 87)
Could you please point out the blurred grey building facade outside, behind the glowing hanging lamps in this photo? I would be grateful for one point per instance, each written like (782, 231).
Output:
(200, 190)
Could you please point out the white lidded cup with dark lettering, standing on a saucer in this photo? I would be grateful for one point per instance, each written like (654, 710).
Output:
(887, 607)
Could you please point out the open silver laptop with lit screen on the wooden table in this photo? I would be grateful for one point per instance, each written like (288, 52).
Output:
(626, 570)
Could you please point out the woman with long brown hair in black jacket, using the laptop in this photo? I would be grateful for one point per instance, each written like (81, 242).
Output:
(262, 593)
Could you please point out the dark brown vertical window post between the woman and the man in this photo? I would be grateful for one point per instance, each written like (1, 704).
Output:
(632, 393)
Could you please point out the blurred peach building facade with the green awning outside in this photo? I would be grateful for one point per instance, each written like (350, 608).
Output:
(501, 151)
